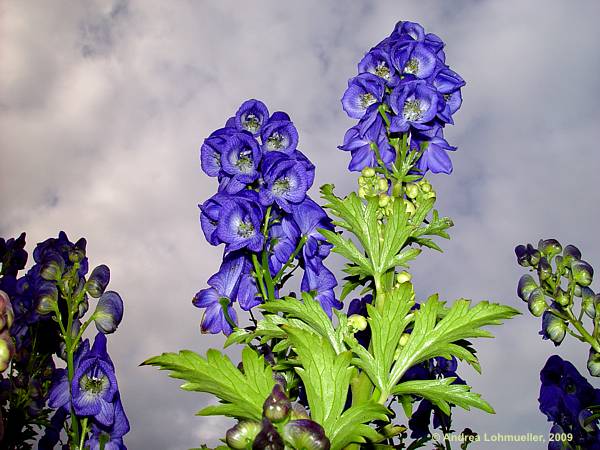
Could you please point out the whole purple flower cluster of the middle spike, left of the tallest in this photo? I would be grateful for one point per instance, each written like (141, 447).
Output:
(263, 216)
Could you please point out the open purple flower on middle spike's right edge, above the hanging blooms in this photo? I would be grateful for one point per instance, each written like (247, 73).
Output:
(285, 181)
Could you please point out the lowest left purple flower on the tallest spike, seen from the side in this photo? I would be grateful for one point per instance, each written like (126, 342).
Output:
(358, 140)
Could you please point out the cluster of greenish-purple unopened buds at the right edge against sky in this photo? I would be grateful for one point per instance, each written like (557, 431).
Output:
(560, 280)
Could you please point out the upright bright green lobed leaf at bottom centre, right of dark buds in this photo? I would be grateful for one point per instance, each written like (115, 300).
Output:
(326, 376)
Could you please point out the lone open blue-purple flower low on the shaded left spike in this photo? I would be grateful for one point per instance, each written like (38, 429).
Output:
(94, 384)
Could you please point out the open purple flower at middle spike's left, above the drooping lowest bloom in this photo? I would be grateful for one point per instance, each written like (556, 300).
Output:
(239, 224)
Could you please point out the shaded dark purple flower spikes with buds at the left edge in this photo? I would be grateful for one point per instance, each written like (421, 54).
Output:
(50, 304)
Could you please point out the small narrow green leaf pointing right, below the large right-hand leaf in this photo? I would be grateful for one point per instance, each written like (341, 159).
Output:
(442, 393)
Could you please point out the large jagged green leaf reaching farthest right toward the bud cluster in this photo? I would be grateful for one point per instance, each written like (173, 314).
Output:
(430, 338)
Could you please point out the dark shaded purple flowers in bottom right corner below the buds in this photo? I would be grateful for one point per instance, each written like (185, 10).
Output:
(566, 398)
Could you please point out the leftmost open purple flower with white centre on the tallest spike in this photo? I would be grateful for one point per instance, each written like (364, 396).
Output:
(363, 91)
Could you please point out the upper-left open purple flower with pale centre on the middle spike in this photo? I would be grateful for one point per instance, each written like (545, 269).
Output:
(239, 160)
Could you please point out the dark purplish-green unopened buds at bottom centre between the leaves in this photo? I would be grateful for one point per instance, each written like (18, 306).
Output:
(284, 425)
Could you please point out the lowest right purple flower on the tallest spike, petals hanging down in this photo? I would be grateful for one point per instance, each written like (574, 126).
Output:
(434, 157)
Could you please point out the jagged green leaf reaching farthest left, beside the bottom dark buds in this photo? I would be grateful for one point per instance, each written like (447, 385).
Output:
(242, 394)
